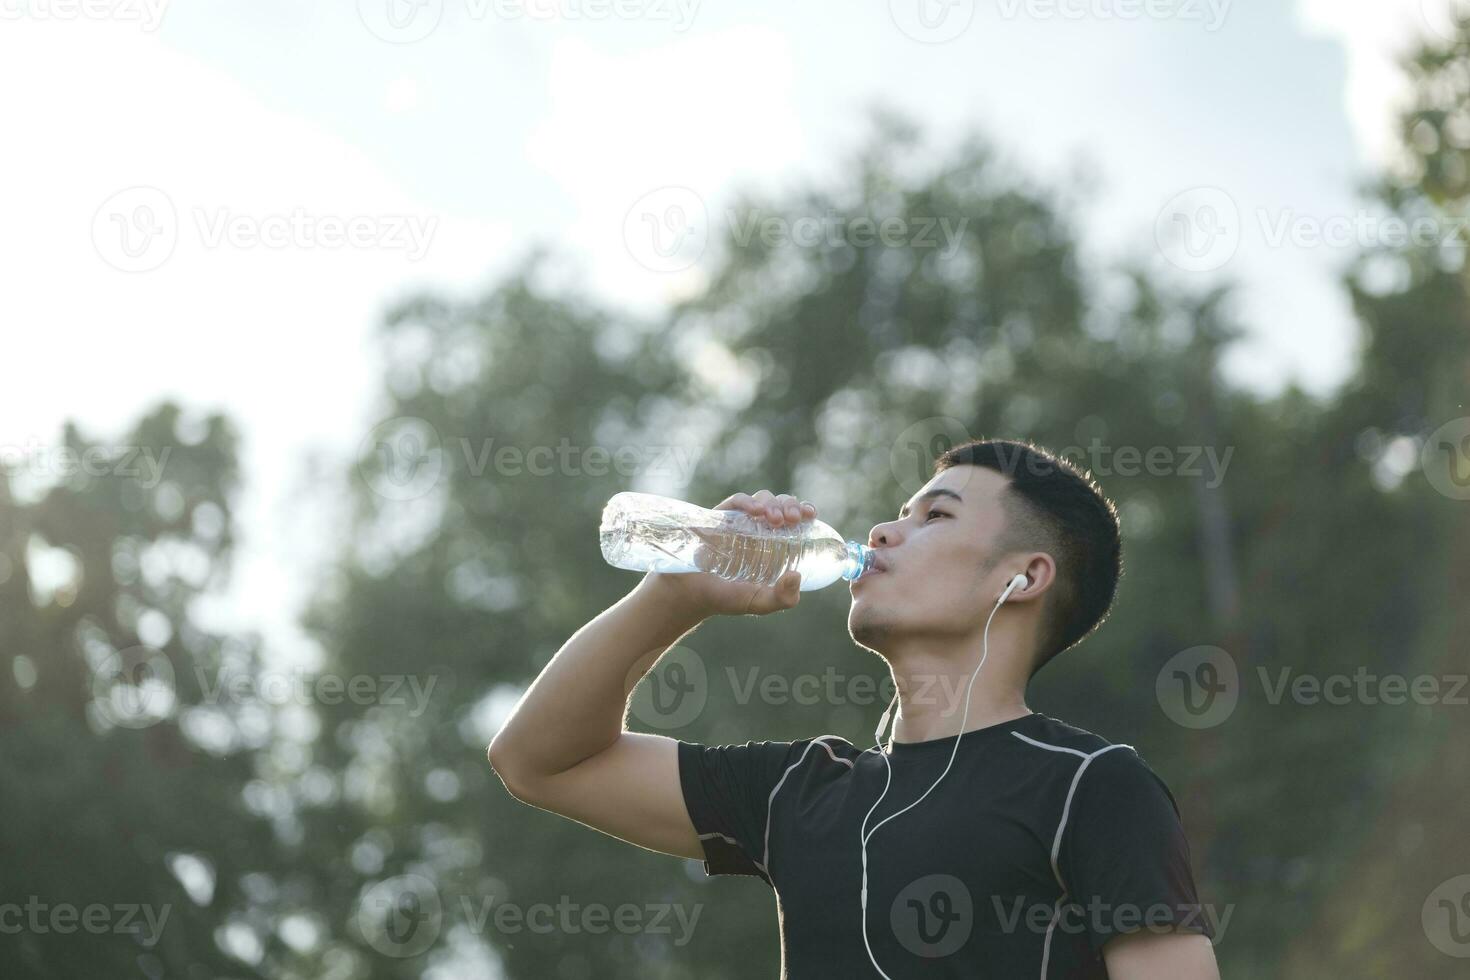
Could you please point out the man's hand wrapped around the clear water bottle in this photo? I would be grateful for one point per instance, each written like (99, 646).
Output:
(703, 594)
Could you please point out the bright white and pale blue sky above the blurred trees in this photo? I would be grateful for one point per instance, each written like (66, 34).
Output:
(182, 179)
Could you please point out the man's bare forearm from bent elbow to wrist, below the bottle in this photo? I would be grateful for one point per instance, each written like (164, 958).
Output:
(576, 707)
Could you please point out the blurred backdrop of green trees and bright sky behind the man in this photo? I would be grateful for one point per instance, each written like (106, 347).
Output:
(330, 330)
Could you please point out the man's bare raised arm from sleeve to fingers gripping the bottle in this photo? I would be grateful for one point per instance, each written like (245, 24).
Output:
(565, 747)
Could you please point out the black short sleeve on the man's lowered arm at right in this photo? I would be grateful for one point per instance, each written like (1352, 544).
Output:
(1125, 859)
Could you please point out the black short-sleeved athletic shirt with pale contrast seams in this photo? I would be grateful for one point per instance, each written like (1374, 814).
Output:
(1041, 844)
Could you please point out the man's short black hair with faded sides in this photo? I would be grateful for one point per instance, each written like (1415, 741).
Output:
(1059, 509)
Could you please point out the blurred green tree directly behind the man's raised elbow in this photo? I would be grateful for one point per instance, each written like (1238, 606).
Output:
(468, 574)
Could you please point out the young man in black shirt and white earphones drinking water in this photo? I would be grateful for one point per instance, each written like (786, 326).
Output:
(987, 840)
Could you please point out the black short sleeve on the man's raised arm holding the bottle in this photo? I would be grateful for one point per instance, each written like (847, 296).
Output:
(728, 790)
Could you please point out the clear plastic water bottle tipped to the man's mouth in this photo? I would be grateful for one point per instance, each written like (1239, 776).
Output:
(645, 533)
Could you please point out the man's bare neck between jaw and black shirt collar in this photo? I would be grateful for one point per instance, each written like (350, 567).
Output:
(933, 681)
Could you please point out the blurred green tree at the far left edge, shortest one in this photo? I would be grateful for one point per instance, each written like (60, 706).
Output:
(129, 846)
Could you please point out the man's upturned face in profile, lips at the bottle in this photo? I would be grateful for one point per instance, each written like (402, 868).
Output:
(936, 559)
